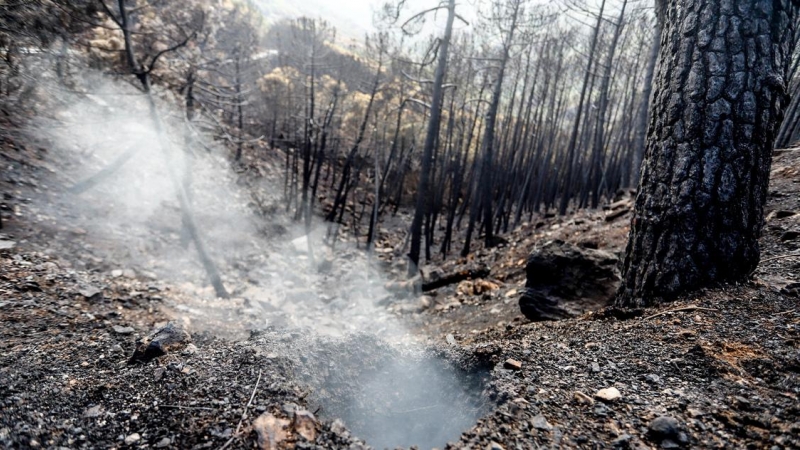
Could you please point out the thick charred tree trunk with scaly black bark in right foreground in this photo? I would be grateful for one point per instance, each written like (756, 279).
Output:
(720, 95)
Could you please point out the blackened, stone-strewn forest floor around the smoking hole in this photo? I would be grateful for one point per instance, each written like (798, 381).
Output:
(723, 362)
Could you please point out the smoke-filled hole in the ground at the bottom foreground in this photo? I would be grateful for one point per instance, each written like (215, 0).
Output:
(402, 401)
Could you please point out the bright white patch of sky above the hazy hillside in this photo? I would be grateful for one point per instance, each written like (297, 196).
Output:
(352, 18)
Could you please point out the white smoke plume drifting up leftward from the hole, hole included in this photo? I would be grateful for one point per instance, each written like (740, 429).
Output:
(118, 200)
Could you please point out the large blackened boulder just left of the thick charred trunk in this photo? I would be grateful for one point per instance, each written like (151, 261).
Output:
(558, 272)
